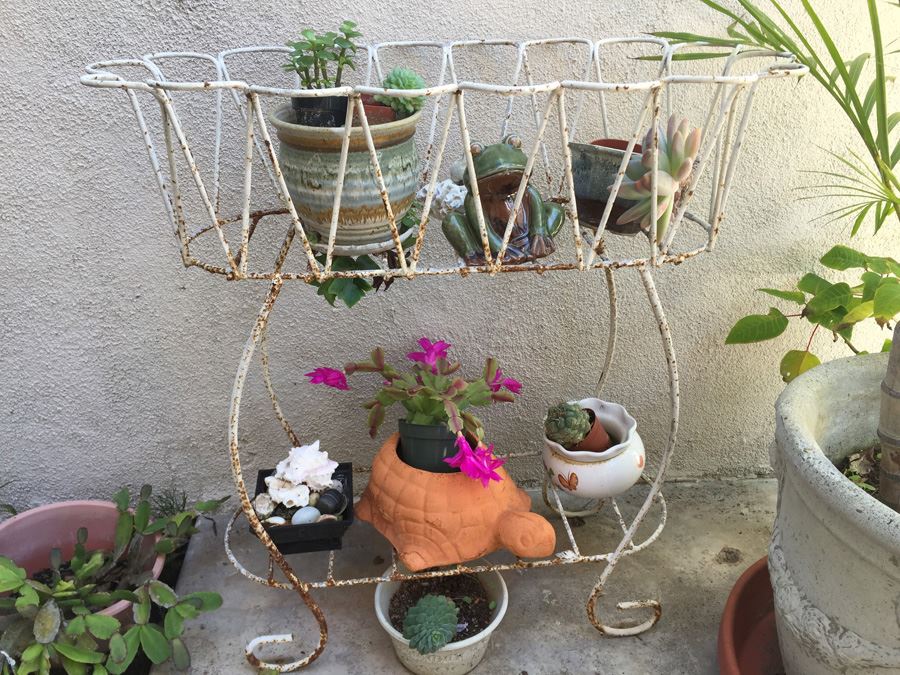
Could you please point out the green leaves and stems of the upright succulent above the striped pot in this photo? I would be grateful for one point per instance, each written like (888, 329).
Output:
(312, 55)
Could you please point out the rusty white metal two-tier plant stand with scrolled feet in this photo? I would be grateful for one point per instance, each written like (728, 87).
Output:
(725, 98)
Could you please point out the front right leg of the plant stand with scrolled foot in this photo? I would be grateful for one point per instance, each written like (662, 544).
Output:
(654, 493)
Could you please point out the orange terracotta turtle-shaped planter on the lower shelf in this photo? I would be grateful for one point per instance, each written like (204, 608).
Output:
(435, 519)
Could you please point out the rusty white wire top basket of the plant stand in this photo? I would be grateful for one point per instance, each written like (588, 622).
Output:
(215, 124)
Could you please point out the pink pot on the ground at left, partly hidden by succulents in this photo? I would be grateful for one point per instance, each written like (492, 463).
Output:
(28, 538)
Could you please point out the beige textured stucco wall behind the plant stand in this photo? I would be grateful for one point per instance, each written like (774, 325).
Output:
(116, 364)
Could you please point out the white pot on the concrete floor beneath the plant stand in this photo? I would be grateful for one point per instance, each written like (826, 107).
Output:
(456, 658)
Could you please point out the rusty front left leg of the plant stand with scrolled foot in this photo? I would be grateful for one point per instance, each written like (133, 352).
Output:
(256, 336)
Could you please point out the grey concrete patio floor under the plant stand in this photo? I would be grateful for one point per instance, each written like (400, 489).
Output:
(715, 530)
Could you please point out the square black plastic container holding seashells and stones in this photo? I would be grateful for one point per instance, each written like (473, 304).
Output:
(325, 536)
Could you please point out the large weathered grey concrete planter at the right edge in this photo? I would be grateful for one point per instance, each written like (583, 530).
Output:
(834, 559)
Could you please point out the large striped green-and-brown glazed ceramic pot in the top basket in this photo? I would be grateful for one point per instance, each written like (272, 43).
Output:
(310, 157)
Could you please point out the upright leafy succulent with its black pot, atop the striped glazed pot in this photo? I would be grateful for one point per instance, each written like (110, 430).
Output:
(311, 57)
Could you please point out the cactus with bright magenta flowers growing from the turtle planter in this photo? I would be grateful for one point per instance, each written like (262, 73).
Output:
(432, 392)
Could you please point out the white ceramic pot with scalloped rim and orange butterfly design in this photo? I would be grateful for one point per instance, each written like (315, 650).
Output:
(598, 475)
